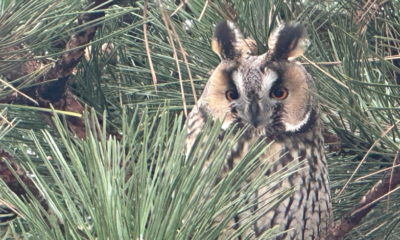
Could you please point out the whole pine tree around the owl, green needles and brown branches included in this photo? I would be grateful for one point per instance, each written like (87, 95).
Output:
(93, 100)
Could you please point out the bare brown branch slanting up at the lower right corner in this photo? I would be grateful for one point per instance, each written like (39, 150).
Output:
(380, 190)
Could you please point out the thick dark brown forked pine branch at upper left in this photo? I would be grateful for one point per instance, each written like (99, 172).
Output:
(56, 93)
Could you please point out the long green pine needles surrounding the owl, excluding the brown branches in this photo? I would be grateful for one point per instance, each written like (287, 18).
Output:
(357, 85)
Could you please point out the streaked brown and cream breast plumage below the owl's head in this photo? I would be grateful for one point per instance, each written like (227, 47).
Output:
(306, 213)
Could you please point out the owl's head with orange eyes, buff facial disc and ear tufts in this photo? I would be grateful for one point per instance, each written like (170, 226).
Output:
(271, 92)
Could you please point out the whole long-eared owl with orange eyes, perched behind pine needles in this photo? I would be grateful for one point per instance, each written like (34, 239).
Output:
(274, 97)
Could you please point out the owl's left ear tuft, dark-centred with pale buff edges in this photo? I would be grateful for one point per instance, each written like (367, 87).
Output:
(228, 41)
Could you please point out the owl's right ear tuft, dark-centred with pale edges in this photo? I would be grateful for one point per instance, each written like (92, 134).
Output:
(288, 41)
